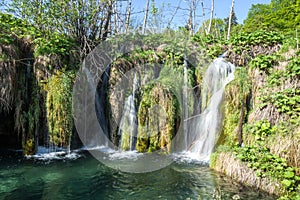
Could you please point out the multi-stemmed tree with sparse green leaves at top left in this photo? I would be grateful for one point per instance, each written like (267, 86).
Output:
(87, 21)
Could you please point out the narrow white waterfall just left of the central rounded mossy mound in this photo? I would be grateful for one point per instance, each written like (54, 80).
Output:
(128, 123)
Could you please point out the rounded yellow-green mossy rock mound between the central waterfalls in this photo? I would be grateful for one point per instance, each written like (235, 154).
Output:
(157, 116)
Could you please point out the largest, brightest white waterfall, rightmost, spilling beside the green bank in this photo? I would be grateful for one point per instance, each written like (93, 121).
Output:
(204, 128)
